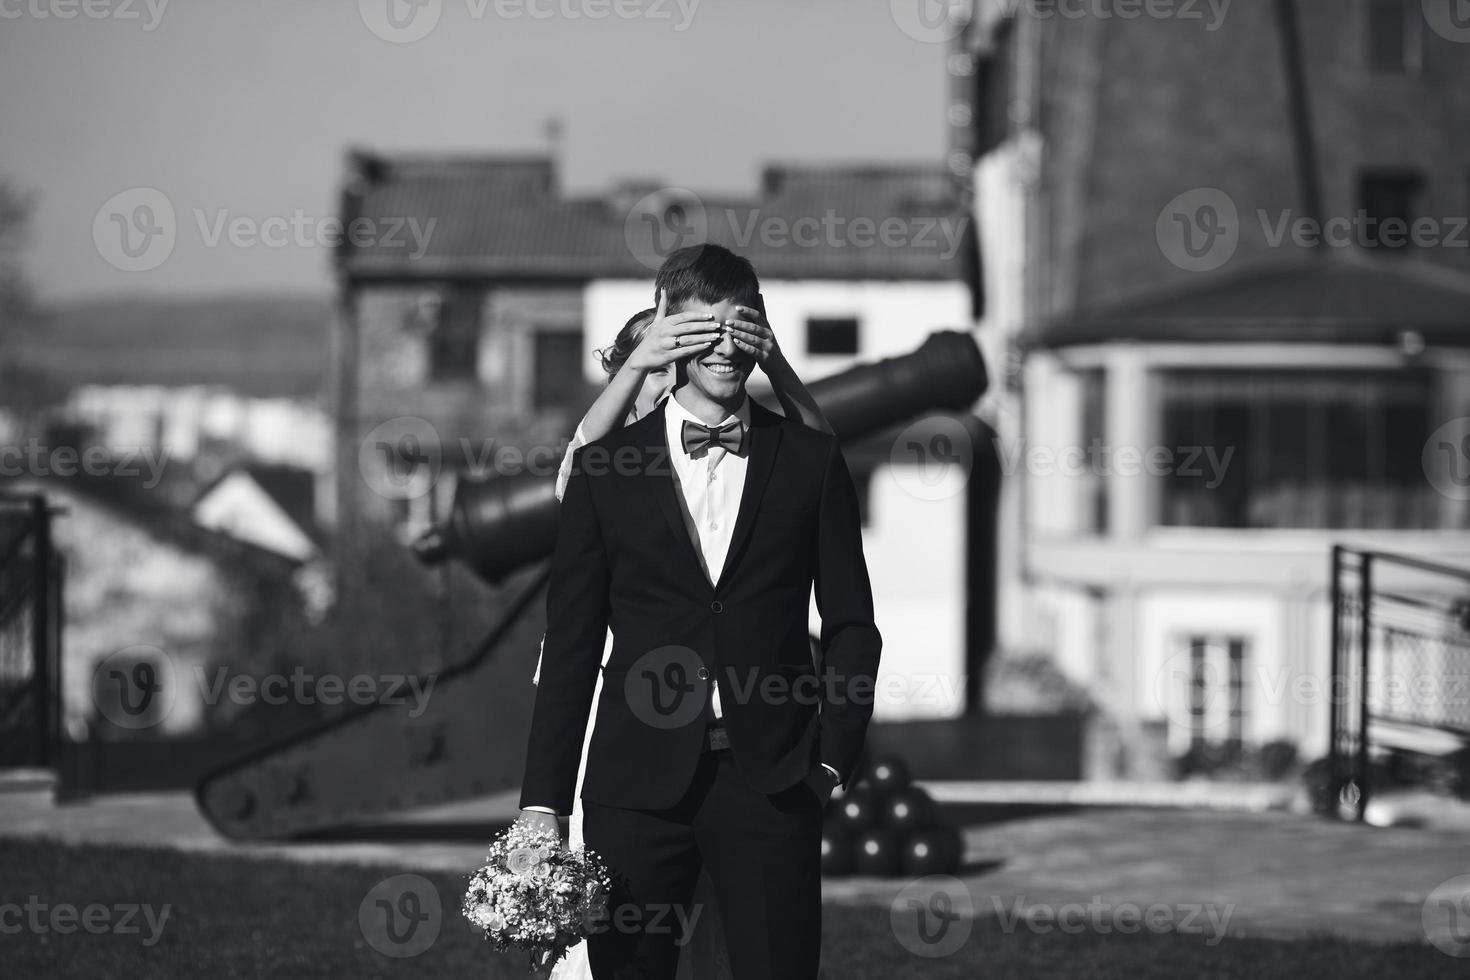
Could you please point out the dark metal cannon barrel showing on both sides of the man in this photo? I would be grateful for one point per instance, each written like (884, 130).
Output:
(501, 525)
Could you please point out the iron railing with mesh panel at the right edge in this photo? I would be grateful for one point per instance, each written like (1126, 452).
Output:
(1400, 668)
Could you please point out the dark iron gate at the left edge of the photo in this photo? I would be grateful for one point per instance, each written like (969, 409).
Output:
(30, 634)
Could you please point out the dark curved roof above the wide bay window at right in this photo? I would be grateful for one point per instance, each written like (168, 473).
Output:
(1337, 299)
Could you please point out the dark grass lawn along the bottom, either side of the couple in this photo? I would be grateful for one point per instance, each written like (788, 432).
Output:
(236, 918)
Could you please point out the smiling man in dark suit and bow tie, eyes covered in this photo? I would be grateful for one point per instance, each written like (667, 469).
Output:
(698, 534)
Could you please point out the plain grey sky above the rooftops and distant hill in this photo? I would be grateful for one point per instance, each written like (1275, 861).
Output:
(243, 109)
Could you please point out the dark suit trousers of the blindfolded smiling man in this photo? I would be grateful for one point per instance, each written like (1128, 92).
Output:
(762, 853)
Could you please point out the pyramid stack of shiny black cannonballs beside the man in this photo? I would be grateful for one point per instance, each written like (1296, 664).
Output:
(887, 826)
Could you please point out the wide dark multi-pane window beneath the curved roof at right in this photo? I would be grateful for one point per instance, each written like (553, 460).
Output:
(1283, 449)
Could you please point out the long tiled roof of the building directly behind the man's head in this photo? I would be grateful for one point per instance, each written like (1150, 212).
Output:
(506, 218)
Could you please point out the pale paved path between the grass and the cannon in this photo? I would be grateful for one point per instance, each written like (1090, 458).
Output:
(1256, 873)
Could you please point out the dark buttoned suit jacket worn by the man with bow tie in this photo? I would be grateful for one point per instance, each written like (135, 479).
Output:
(624, 559)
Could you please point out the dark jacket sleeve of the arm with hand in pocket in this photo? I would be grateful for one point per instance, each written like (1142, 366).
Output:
(850, 640)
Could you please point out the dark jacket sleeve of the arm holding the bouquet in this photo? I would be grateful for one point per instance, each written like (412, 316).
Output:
(571, 655)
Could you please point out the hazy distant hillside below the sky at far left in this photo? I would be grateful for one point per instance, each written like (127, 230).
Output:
(267, 346)
